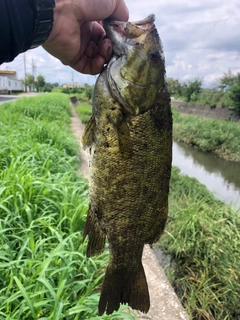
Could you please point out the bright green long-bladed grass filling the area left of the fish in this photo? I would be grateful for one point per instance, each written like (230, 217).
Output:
(44, 273)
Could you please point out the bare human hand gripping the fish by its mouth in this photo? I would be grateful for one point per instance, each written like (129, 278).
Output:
(77, 39)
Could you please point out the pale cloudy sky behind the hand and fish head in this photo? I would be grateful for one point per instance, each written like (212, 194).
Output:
(201, 39)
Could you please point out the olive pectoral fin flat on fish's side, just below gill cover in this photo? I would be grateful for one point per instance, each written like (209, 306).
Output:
(122, 132)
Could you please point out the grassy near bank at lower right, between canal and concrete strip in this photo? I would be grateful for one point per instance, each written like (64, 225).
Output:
(203, 239)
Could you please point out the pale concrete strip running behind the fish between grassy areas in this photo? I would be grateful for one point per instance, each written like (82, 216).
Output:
(164, 302)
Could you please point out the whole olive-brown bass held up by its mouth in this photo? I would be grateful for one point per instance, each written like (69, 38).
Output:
(130, 140)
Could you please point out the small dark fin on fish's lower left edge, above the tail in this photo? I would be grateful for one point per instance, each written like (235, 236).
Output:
(96, 238)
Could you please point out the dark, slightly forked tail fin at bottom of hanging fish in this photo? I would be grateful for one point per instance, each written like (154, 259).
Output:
(123, 286)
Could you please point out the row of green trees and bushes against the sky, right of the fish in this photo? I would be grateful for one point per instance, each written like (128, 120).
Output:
(225, 94)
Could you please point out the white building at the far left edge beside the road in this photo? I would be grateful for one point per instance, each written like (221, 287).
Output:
(9, 82)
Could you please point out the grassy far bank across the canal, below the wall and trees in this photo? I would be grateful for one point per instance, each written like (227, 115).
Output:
(217, 136)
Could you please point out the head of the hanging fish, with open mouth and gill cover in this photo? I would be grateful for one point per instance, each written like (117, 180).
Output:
(136, 71)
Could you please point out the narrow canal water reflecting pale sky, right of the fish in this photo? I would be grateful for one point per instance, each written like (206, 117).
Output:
(220, 176)
